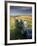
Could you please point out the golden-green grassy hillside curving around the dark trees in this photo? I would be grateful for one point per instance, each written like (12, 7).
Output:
(26, 18)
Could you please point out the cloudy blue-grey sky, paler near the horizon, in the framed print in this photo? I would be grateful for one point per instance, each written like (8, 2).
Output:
(19, 10)
